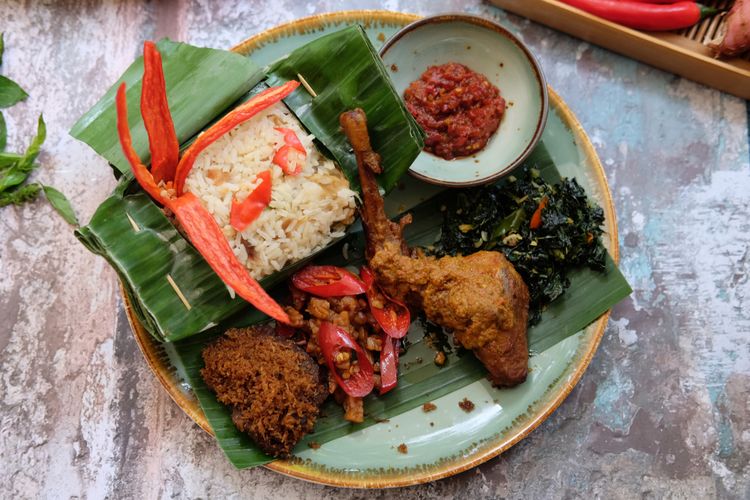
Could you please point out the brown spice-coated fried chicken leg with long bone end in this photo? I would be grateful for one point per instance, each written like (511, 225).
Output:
(480, 297)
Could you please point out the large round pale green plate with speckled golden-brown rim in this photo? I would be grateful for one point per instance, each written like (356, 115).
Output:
(448, 440)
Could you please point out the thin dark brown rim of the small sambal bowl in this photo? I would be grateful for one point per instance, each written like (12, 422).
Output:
(452, 17)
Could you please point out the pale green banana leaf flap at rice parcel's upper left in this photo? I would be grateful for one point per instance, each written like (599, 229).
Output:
(196, 96)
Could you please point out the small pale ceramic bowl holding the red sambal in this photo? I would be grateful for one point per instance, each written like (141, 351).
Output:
(489, 49)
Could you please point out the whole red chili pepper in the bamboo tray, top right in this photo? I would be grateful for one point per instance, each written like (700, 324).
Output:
(646, 16)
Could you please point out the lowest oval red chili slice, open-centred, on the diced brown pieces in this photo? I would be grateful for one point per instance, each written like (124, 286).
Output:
(333, 339)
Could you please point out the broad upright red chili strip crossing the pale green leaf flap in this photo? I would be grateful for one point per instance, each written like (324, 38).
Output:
(165, 150)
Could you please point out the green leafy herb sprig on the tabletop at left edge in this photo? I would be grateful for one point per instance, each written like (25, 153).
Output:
(16, 168)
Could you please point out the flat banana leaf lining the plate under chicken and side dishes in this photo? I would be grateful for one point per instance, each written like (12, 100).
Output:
(590, 294)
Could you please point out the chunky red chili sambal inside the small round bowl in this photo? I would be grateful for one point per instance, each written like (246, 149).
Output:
(458, 108)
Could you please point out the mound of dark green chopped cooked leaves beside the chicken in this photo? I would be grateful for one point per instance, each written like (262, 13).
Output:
(499, 217)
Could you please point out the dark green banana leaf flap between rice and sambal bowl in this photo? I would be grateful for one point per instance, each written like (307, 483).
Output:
(345, 72)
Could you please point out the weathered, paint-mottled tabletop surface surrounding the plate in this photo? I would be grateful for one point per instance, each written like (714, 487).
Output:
(663, 411)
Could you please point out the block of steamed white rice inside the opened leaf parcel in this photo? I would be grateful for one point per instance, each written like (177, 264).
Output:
(307, 210)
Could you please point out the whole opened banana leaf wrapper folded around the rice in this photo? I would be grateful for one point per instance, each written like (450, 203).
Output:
(145, 259)
